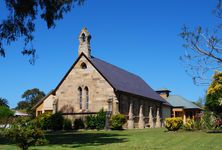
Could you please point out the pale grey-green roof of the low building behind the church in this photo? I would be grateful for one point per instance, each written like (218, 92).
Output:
(178, 101)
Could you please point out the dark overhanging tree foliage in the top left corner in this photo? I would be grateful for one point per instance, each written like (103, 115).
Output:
(20, 22)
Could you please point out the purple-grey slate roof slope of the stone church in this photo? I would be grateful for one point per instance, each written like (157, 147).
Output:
(124, 81)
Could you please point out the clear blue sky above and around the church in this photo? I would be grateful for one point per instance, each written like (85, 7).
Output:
(140, 36)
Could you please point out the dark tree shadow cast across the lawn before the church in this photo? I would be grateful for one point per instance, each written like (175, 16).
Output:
(79, 139)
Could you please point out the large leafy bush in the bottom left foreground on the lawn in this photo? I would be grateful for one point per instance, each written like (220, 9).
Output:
(24, 135)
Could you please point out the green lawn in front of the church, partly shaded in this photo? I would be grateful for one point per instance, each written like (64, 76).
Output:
(129, 139)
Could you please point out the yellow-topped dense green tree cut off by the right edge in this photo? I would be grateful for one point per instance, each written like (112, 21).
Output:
(214, 95)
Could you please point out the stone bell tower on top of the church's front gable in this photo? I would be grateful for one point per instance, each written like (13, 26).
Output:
(84, 43)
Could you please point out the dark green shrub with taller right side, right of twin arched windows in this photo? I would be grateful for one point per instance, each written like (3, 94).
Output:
(97, 121)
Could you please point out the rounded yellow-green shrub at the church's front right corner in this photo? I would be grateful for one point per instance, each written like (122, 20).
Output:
(117, 122)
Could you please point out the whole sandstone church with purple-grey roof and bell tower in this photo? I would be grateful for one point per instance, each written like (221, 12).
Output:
(92, 84)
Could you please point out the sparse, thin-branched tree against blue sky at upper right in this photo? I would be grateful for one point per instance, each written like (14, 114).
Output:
(203, 50)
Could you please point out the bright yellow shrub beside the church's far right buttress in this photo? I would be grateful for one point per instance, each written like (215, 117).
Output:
(173, 124)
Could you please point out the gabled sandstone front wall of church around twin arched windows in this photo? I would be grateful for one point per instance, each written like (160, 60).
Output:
(99, 90)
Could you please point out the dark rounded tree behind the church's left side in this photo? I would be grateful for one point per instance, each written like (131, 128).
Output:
(31, 97)
